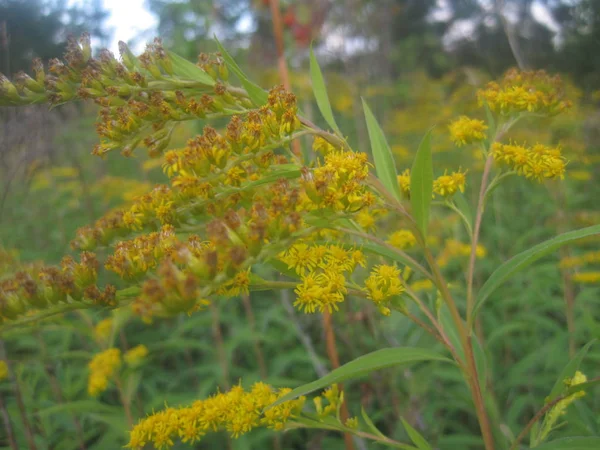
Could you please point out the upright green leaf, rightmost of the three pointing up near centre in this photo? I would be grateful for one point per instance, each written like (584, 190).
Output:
(421, 184)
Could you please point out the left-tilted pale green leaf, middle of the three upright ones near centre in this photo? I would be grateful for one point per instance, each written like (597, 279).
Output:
(384, 161)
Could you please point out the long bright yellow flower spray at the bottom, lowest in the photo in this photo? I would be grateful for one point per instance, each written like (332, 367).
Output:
(237, 411)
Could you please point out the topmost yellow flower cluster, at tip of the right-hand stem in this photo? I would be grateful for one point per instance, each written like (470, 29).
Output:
(518, 92)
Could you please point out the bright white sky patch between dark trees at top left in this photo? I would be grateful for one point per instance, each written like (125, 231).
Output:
(129, 21)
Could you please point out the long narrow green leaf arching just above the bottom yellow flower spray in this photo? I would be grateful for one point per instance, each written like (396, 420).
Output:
(363, 365)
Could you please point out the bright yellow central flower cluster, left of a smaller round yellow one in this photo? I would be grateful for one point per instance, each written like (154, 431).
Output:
(323, 270)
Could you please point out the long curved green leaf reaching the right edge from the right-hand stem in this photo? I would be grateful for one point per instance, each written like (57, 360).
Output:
(526, 258)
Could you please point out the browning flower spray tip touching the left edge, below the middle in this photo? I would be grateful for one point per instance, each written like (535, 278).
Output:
(37, 287)
